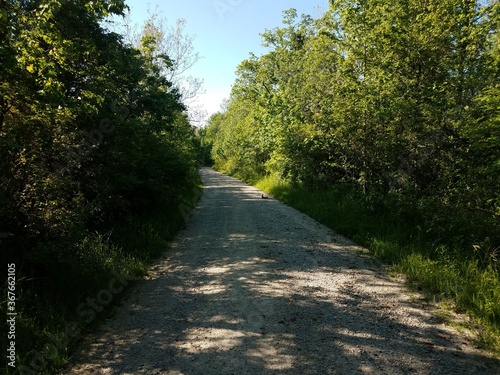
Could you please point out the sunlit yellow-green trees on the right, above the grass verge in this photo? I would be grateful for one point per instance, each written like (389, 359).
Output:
(398, 98)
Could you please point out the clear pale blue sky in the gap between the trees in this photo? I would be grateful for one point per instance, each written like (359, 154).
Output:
(226, 32)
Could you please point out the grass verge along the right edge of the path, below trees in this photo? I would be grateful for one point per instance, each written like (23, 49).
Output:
(436, 250)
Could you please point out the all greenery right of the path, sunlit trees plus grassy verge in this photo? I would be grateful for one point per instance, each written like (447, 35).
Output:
(382, 120)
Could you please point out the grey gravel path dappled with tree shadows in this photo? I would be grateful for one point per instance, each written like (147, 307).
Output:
(255, 287)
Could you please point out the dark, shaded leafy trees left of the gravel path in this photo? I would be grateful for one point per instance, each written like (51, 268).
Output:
(92, 137)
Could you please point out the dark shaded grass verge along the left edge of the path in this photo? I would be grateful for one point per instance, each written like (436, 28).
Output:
(79, 288)
